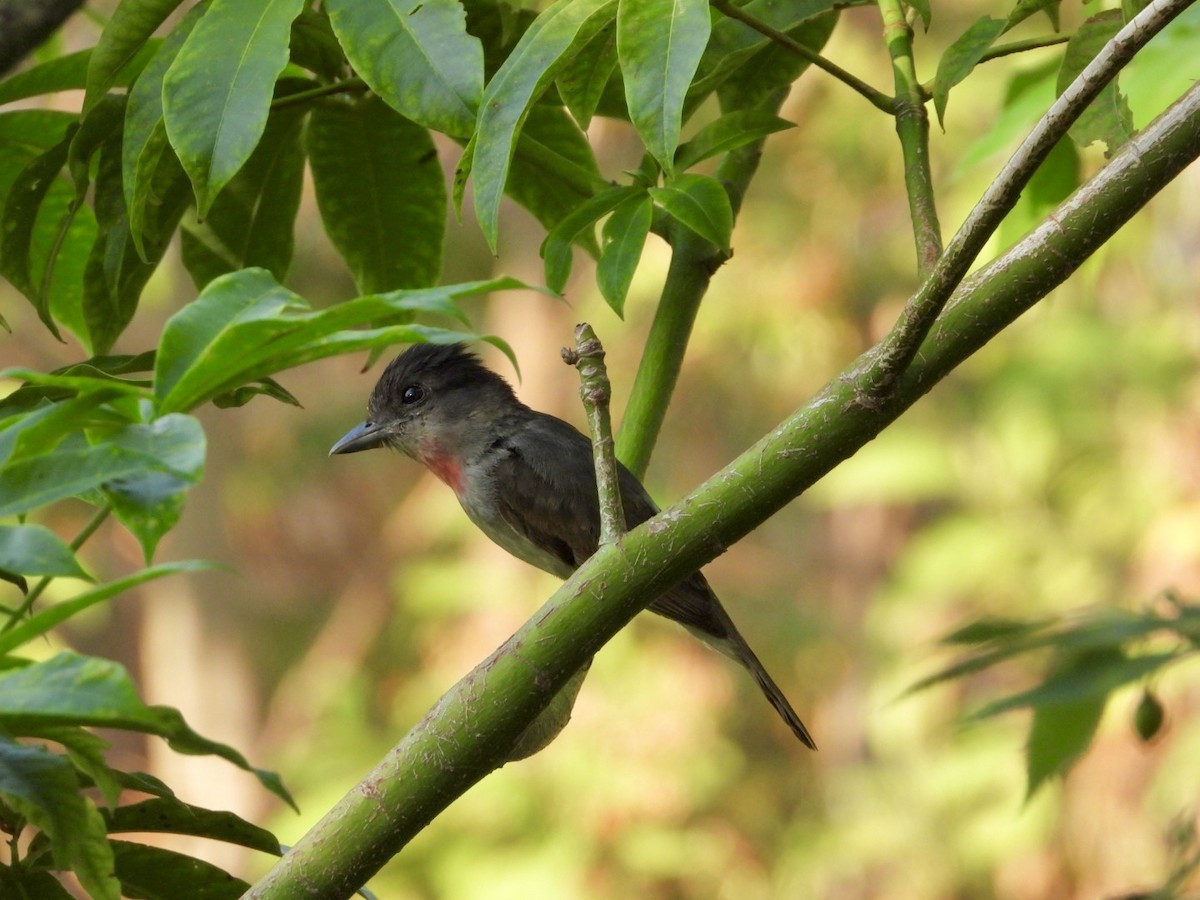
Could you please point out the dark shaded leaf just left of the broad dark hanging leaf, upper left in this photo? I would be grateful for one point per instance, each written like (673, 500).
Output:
(253, 220)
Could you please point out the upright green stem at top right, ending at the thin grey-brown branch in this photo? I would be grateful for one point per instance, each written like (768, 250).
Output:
(913, 128)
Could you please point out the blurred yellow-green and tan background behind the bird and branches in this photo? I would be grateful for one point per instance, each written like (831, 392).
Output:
(1059, 470)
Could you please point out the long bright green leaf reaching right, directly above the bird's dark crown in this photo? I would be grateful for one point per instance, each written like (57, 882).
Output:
(245, 327)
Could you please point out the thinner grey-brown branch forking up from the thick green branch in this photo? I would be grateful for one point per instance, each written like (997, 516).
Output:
(899, 349)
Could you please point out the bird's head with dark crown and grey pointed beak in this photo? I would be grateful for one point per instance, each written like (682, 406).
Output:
(435, 403)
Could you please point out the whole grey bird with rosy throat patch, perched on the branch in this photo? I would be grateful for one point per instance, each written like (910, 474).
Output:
(527, 481)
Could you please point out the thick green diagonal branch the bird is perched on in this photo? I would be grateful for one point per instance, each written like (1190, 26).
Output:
(473, 728)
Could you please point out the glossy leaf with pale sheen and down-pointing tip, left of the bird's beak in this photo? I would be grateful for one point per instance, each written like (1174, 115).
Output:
(149, 505)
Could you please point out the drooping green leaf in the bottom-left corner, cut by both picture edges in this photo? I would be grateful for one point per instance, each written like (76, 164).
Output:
(43, 788)
